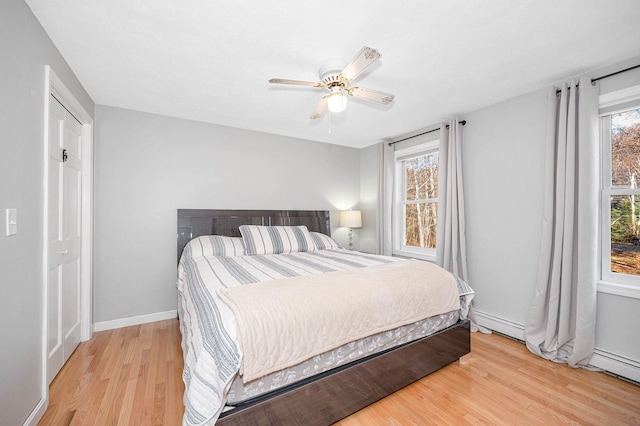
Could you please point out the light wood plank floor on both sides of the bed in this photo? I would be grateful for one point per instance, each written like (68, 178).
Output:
(132, 376)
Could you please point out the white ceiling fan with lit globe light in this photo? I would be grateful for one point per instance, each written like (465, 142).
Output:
(338, 83)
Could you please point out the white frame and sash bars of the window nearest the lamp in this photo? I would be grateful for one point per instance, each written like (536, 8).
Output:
(400, 202)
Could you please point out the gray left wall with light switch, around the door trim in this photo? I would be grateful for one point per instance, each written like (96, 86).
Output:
(26, 49)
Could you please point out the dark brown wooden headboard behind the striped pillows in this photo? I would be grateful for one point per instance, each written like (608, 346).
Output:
(193, 223)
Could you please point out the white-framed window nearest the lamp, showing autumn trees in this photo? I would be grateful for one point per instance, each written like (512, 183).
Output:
(416, 201)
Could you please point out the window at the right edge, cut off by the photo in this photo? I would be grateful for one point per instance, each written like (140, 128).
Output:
(620, 198)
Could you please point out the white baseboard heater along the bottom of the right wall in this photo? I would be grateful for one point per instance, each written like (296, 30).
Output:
(610, 362)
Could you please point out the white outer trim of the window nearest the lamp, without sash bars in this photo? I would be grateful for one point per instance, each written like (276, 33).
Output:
(399, 249)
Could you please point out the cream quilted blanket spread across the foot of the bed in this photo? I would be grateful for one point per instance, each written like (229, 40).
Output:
(284, 322)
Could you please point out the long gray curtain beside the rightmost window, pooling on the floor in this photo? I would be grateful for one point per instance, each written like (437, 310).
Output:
(562, 318)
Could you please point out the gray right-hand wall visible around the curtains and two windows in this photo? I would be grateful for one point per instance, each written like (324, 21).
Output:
(503, 168)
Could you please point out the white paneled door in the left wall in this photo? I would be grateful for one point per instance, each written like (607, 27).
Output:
(63, 292)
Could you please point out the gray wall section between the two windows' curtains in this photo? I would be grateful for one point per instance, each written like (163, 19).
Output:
(503, 172)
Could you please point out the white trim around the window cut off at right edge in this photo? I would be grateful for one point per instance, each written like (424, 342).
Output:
(612, 282)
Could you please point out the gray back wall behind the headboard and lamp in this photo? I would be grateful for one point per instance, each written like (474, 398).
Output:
(148, 166)
